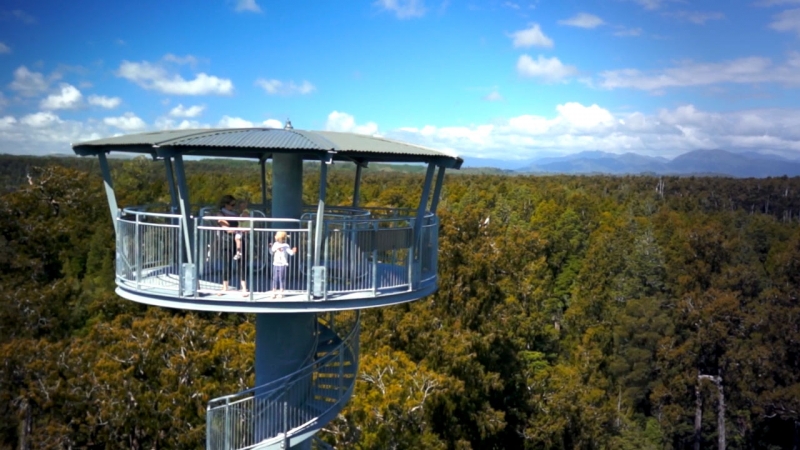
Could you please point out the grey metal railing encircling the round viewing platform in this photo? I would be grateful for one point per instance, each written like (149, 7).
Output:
(362, 251)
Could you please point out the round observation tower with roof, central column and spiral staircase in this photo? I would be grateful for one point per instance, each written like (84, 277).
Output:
(348, 258)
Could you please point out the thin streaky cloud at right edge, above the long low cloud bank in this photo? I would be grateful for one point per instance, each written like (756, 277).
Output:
(742, 70)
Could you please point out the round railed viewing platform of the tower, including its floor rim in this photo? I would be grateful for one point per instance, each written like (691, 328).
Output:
(366, 259)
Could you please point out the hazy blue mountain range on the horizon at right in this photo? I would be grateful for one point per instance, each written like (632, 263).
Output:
(698, 162)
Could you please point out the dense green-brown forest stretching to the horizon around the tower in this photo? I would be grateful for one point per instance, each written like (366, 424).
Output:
(572, 313)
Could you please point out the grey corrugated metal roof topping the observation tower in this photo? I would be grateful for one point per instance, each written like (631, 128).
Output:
(262, 142)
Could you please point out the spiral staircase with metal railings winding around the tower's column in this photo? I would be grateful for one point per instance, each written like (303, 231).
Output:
(290, 406)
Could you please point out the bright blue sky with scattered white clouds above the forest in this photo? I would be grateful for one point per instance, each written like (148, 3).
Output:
(509, 80)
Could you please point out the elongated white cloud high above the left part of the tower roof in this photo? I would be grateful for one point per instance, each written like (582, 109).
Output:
(154, 77)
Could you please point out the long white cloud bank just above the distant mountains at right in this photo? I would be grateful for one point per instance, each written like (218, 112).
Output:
(575, 127)
